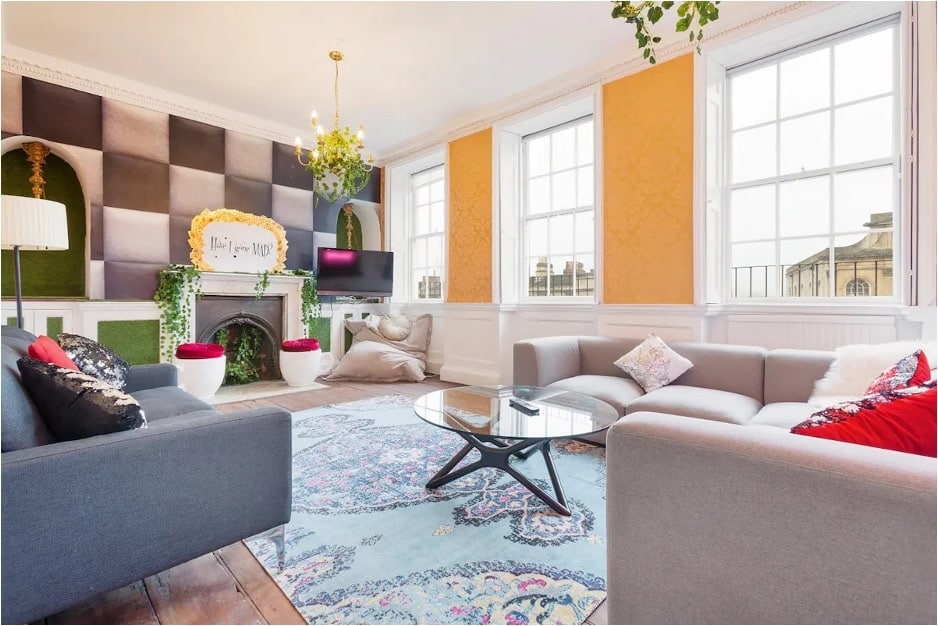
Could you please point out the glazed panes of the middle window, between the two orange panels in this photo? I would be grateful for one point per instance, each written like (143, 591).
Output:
(558, 211)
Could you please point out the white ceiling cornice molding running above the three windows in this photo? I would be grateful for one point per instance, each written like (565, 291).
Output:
(534, 100)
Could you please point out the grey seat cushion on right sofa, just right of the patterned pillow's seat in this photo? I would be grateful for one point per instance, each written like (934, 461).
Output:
(711, 404)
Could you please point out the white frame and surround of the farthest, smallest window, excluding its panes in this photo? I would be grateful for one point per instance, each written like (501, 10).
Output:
(399, 225)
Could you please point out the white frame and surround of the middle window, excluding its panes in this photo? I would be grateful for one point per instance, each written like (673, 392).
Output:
(512, 286)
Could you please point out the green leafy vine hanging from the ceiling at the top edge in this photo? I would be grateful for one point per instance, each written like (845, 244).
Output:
(642, 13)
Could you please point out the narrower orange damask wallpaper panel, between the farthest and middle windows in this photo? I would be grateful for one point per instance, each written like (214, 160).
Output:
(470, 219)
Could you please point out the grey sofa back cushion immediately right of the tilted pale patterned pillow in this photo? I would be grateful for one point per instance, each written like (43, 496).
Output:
(738, 369)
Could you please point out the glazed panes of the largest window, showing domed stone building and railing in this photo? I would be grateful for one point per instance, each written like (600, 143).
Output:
(813, 168)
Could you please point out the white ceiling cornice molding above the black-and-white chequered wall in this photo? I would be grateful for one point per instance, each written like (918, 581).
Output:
(66, 74)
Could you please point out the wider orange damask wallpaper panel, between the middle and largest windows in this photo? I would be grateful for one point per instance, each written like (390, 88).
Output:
(648, 168)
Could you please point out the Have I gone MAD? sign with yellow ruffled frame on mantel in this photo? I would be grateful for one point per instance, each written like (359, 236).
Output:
(227, 240)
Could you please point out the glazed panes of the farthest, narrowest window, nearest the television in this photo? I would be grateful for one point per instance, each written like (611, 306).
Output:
(427, 233)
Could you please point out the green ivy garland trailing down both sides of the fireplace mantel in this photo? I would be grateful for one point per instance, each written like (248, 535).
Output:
(177, 282)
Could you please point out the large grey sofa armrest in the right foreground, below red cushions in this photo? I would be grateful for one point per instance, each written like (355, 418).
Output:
(716, 523)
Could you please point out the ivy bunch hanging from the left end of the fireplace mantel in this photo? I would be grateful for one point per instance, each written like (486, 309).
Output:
(177, 283)
